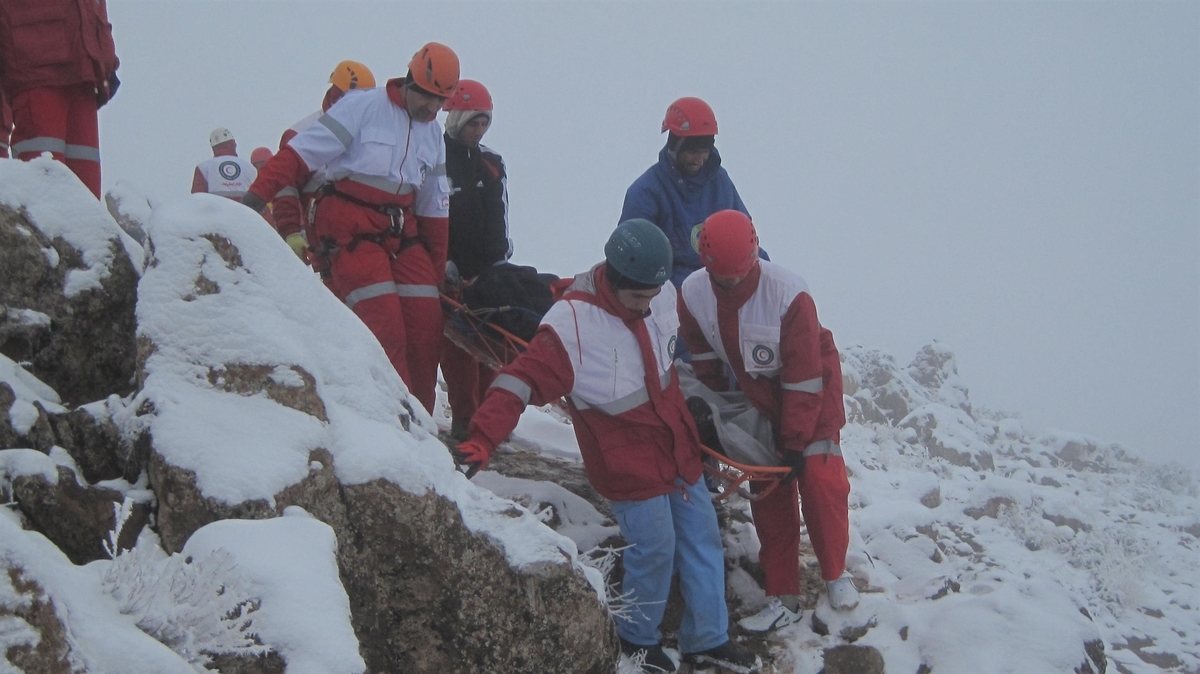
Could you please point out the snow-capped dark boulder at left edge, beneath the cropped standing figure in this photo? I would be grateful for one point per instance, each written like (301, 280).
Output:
(68, 284)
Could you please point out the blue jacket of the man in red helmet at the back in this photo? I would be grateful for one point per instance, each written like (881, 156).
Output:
(680, 206)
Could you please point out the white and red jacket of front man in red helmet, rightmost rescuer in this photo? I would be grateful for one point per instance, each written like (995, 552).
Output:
(767, 332)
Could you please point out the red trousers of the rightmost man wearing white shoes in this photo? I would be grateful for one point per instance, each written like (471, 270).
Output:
(777, 520)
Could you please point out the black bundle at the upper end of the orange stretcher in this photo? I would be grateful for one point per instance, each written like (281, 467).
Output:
(511, 297)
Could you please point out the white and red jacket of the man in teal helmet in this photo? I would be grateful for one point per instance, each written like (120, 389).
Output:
(616, 370)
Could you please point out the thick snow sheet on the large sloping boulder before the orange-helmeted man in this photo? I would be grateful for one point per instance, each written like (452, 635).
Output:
(224, 292)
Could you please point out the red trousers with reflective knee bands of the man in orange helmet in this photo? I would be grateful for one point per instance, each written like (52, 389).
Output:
(393, 292)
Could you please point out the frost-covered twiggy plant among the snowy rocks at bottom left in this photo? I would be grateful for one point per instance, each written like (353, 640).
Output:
(197, 607)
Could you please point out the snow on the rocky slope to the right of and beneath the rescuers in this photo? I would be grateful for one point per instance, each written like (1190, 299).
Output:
(1077, 528)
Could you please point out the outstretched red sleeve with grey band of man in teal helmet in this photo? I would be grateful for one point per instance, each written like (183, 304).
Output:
(544, 371)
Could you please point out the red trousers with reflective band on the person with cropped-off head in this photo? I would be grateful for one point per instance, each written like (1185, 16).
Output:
(61, 121)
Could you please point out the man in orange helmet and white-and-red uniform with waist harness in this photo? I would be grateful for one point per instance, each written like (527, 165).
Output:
(382, 219)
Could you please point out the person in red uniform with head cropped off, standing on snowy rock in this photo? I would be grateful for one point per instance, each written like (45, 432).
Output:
(58, 67)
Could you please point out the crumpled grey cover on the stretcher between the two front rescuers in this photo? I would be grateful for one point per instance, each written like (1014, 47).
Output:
(745, 432)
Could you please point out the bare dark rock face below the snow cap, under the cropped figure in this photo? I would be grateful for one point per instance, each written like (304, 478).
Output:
(87, 351)
